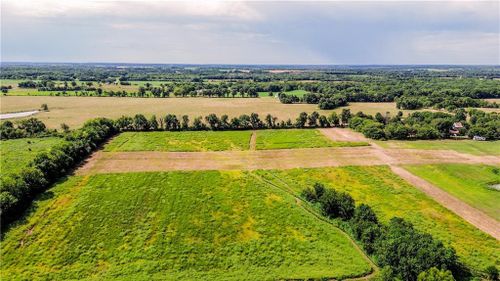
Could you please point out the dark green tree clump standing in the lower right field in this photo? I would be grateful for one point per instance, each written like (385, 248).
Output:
(404, 252)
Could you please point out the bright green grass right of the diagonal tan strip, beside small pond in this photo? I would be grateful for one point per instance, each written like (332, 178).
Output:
(469, 183)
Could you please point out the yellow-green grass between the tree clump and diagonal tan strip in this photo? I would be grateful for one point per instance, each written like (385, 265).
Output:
(391, 196)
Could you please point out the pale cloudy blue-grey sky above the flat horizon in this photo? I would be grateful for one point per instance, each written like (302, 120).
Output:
(231, 32)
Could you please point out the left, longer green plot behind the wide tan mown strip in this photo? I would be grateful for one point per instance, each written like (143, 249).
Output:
(180, 141)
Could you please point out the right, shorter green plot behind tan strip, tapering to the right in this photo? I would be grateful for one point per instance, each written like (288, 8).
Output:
(297, 138)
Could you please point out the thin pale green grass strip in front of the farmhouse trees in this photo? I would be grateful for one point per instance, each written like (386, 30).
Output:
(463, 146)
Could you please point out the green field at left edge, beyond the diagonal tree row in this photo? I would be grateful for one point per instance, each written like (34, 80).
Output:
(17, 153)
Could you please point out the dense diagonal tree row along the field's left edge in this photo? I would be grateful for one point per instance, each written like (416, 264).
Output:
(18, 190)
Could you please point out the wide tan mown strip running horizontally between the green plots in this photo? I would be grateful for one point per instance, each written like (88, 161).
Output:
(144, 161)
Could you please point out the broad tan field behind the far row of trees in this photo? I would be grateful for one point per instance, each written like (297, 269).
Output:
(62, 109)
